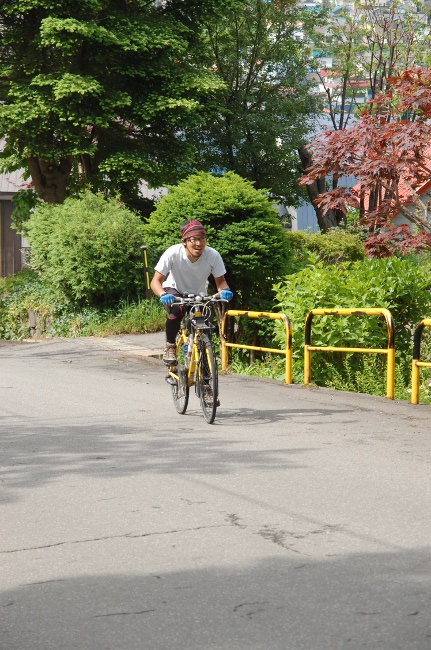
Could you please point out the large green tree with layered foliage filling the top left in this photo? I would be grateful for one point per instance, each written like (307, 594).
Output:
(99, 92)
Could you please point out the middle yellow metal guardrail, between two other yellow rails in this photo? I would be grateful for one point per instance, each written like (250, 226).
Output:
(389, 351)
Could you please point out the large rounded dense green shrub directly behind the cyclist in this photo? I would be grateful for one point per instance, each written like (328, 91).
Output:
(241, 224)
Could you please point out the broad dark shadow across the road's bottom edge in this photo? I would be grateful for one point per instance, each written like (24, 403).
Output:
(291, 603)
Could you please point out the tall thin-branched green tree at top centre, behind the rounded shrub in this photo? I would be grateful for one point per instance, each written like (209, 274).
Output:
(266, 108)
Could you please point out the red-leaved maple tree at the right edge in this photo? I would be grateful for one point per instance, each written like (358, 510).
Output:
(388, 150)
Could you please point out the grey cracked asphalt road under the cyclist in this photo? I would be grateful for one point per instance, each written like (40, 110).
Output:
(300, 520)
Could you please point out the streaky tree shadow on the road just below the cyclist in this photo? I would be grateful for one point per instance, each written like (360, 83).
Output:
(34, 453)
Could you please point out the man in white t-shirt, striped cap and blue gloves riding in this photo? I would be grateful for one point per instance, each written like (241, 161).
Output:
(185, 268)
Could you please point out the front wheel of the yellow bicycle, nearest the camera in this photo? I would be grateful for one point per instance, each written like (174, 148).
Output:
(207, 378)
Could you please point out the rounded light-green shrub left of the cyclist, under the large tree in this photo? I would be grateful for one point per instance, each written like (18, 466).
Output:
(88, 249)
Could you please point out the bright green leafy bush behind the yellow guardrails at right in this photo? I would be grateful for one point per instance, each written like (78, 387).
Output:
(397, 284)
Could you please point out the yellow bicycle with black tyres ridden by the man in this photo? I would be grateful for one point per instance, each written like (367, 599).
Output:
(195, 364)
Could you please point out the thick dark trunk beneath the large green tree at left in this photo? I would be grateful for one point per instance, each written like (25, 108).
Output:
(50, 179)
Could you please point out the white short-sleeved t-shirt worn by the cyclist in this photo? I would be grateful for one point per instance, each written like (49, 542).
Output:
(188, 277)
